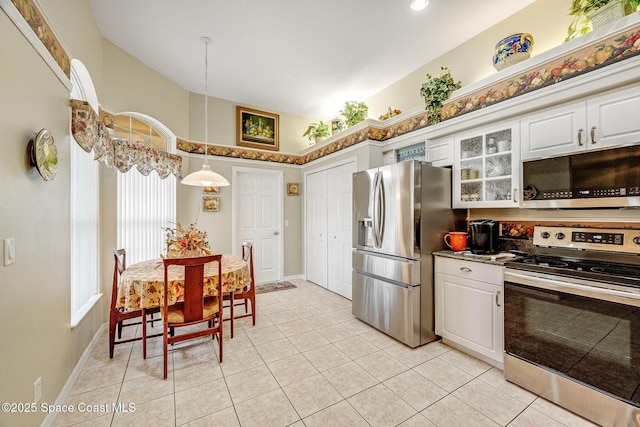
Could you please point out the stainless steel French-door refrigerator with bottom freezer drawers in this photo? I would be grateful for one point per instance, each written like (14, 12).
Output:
(401, 213)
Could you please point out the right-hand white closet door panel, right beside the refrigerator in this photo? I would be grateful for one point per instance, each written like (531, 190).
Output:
(339, 228)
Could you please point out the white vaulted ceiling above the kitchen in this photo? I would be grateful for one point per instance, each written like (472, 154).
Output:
(304, 57)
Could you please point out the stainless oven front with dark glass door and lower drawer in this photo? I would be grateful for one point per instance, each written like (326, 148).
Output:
(580, 332)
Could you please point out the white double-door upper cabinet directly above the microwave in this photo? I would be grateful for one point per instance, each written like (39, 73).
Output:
(602, 121)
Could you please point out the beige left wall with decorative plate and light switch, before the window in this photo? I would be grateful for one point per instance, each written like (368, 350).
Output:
(35, 301)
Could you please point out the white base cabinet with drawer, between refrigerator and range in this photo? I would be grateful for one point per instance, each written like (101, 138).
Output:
(469, 306)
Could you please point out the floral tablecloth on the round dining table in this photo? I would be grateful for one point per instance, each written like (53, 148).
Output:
(141, 284)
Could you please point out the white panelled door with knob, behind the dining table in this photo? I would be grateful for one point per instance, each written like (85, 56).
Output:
(258, 202)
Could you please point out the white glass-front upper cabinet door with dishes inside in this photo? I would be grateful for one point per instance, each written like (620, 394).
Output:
(486, 167)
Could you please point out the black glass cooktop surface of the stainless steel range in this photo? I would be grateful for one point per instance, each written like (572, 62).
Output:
(603, 271)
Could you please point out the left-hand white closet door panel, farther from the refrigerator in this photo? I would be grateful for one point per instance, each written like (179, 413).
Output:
(316, 227)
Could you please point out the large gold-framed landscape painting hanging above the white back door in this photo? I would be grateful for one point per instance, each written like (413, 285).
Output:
(257, 129)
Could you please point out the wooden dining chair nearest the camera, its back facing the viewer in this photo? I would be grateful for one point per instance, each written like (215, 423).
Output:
(195, 308)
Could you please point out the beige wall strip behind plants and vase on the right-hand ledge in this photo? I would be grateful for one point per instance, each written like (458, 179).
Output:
(546, 20)
